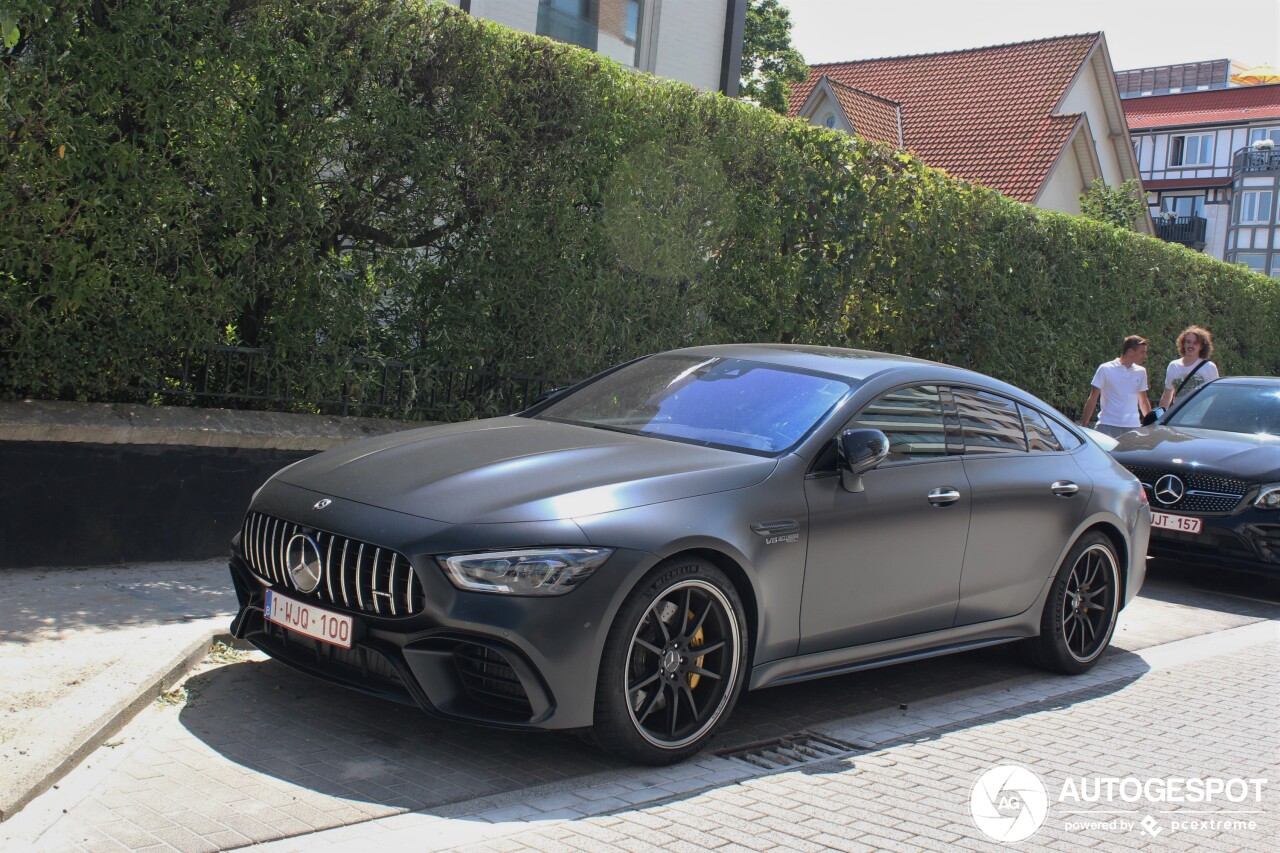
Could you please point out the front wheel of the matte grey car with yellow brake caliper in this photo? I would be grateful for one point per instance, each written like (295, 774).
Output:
(674, 664)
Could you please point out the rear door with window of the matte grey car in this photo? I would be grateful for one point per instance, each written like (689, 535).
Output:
(1028, 496)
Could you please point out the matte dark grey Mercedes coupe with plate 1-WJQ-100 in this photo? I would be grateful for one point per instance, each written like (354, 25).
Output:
(628, 556)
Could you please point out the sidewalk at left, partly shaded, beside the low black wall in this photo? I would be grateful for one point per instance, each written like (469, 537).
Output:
(84, 650)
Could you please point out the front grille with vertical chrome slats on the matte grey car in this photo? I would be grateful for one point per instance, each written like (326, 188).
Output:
(354, 576)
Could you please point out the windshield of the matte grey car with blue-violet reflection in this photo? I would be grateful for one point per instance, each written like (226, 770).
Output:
(720, 403)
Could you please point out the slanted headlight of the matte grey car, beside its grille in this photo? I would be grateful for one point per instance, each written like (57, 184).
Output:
(528, 572)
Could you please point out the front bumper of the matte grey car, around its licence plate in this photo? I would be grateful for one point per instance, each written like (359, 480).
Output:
(522, 663)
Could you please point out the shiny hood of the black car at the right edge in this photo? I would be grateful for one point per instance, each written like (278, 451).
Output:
(1236, 455)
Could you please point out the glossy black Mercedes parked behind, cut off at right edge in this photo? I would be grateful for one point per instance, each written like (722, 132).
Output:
(1212, 468)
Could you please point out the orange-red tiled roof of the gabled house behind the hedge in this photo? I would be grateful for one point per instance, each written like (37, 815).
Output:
(985, 115)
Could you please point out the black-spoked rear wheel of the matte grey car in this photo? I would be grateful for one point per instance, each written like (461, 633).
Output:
(1081, 612)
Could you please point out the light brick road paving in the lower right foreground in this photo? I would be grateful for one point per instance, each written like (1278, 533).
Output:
(1196, 709)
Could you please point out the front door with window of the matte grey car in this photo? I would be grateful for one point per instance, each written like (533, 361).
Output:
(886, 562)
